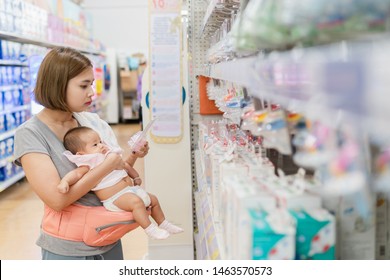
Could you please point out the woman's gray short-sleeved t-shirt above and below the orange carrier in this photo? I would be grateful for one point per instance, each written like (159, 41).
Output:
(35, 137)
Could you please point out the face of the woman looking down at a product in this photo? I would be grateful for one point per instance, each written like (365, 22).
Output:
(79, 92)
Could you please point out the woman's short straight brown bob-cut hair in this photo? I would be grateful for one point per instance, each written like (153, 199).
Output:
(59, 66)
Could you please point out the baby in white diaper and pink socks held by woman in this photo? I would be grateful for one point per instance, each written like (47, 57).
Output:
(116, 190)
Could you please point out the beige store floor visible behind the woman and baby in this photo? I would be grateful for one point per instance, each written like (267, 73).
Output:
(21, 212)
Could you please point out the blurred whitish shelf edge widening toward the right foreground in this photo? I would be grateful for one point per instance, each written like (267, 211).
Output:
(348, 77)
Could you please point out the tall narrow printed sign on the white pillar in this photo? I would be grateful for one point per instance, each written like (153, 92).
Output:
(165, 92)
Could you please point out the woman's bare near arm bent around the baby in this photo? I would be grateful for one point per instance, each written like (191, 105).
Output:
(44, 179)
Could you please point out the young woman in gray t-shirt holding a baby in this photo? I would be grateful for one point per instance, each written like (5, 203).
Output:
(64, 88)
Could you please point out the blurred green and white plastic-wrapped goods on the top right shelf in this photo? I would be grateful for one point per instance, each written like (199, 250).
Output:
(269, 24)
